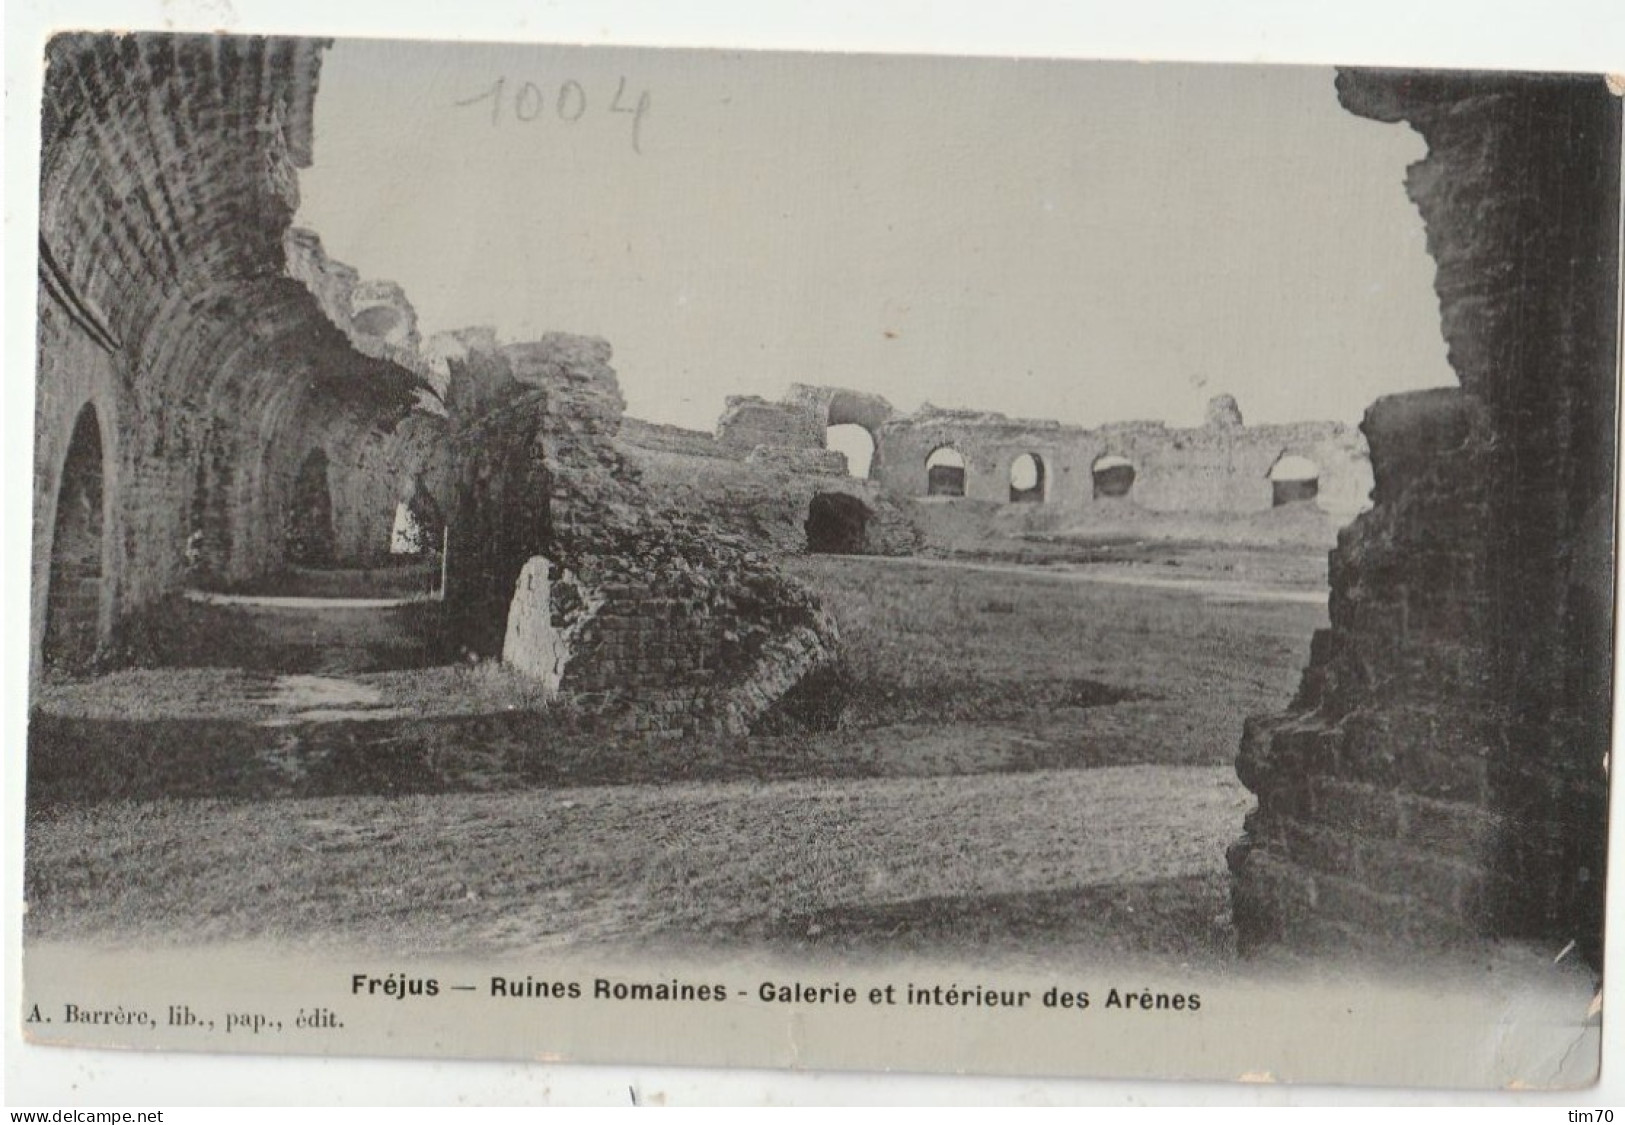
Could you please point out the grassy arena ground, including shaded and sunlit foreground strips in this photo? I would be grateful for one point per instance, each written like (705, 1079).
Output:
(1025, 763)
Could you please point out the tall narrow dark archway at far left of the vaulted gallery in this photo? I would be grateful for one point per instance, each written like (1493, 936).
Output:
(74, 596)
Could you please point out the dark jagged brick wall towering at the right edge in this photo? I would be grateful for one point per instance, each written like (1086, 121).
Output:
(1442, 771)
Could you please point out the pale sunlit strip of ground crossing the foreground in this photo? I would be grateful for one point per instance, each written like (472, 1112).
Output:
(713, 862)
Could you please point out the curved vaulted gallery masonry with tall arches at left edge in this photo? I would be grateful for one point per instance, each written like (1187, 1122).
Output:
(168, 185)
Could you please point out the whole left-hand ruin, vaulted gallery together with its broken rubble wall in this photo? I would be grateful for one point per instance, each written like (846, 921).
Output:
(222, 350)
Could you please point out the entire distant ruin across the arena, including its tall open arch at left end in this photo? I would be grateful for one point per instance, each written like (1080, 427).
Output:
(1220, 467)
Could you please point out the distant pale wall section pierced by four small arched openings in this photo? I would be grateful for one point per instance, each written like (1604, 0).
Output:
(1211, 469)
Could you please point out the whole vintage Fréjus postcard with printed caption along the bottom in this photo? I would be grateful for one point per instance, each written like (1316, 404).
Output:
(825, 562)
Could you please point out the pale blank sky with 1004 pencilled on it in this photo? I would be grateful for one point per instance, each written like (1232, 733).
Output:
(1054, 240)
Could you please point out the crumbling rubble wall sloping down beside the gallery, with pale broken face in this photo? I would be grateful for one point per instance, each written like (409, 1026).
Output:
(566, 565)
